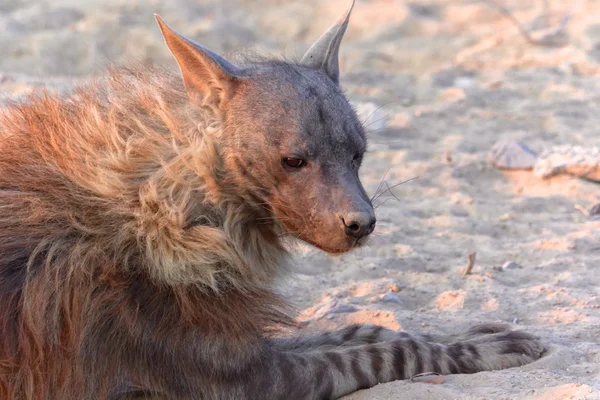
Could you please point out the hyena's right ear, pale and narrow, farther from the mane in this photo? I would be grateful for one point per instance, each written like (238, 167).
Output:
(323, 54)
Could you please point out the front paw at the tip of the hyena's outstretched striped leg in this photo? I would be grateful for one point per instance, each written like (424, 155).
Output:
(497, 351)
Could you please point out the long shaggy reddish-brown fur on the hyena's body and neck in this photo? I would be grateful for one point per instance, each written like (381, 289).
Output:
(97, 256)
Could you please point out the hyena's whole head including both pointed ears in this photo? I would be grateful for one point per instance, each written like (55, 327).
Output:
(291, 142)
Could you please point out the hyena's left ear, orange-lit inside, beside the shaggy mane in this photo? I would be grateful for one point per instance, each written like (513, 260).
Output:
(206, 75)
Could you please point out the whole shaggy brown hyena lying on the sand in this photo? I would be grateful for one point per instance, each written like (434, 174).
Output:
(141, 228)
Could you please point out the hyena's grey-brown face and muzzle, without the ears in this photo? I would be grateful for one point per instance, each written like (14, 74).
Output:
(295, 145)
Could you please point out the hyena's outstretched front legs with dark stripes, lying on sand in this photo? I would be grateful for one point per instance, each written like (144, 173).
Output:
(333, 364)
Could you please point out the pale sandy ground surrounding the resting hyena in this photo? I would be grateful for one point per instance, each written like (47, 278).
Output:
(451, 78)
